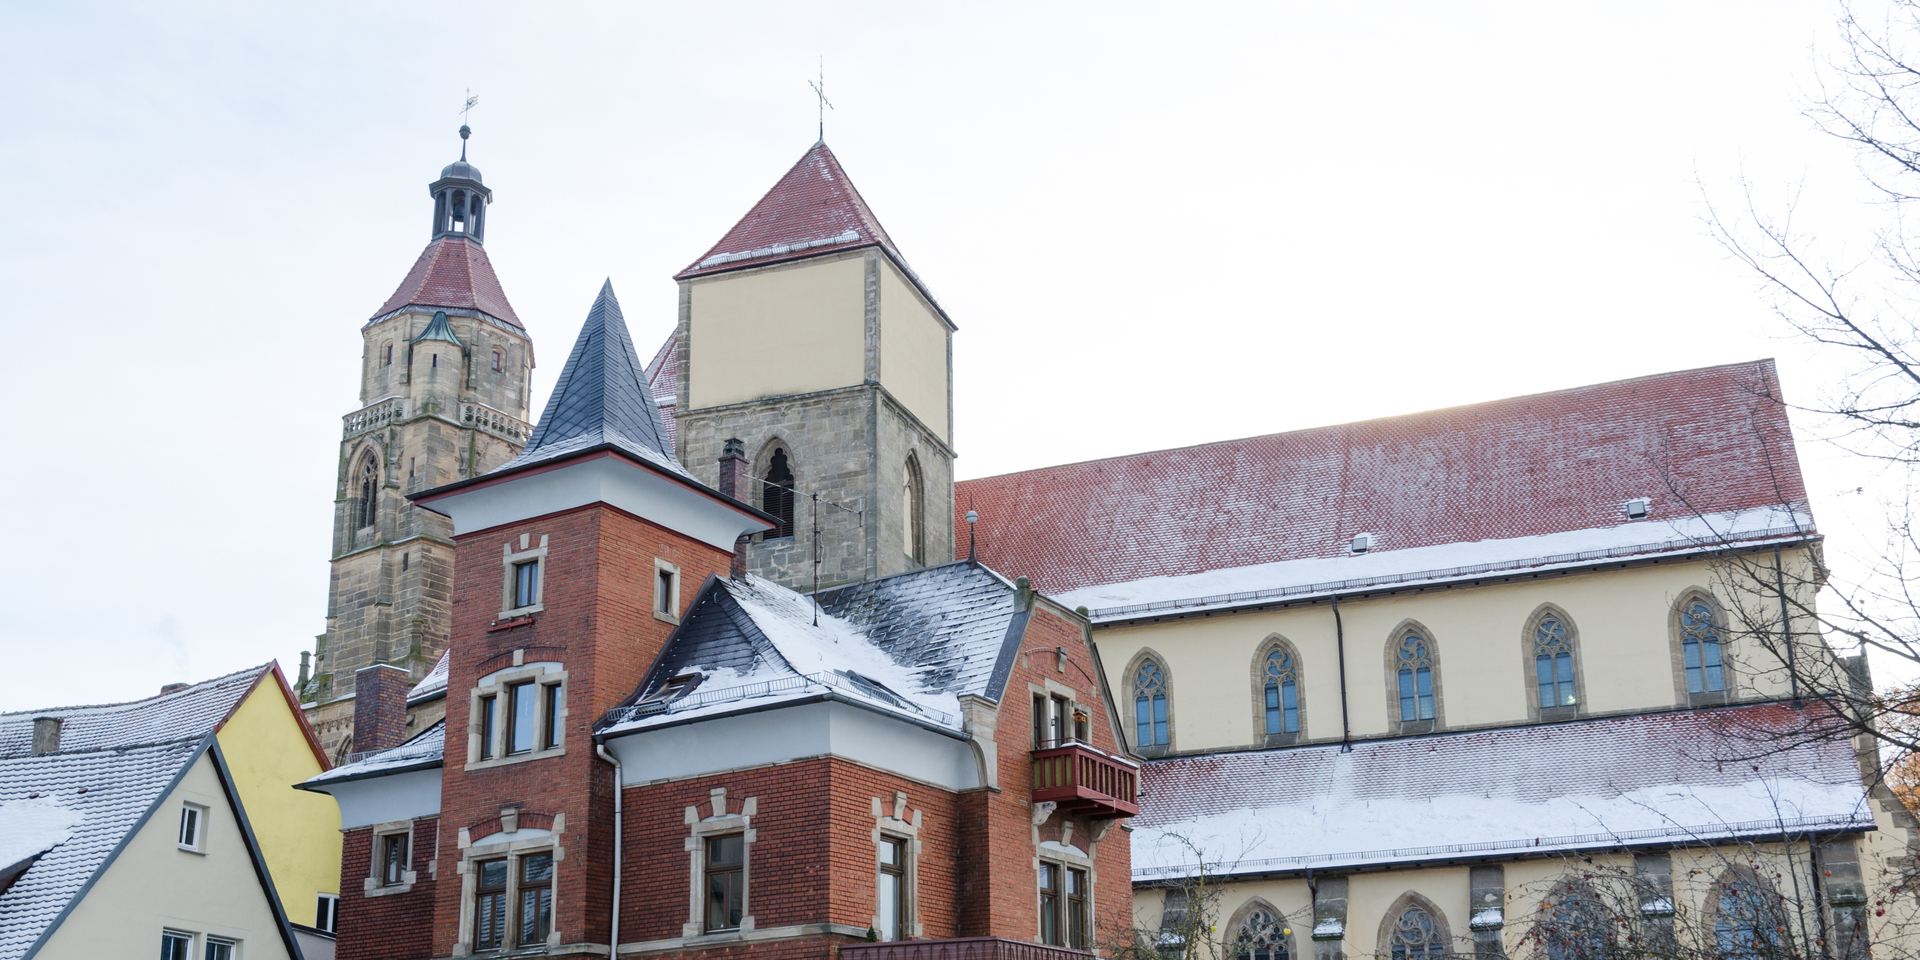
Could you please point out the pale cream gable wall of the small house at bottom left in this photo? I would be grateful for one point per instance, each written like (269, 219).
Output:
(156, 886)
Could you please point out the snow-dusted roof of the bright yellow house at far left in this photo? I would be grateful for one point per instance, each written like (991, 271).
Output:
(181, 715)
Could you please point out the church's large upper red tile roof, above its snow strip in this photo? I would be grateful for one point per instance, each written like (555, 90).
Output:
(1694, 443)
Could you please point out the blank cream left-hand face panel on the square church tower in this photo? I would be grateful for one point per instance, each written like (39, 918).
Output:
(775, 333)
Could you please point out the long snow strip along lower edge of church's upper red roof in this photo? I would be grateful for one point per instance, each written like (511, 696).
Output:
(1312, 577)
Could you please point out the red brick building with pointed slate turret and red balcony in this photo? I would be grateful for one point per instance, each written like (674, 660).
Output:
(650, 752)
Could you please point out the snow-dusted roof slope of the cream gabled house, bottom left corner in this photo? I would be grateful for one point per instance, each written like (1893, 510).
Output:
(107, 792)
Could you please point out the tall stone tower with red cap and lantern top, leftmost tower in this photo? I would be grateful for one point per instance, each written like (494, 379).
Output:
(444, 393)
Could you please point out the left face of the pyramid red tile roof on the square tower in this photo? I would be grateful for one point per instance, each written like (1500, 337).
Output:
(813, 210)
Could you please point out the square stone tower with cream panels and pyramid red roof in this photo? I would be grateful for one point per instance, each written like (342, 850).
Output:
(807, 337)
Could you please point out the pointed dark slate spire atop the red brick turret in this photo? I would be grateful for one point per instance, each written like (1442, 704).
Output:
(602, 398)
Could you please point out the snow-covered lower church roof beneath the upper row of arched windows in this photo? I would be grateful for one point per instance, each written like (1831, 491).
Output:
(1650, 779)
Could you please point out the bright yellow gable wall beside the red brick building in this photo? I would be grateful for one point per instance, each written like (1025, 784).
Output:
(299, 832)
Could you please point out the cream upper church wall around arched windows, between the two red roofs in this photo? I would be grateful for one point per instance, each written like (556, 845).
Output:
(1621, 619)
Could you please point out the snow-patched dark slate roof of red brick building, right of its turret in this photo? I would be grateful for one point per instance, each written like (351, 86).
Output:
(907, 644)
